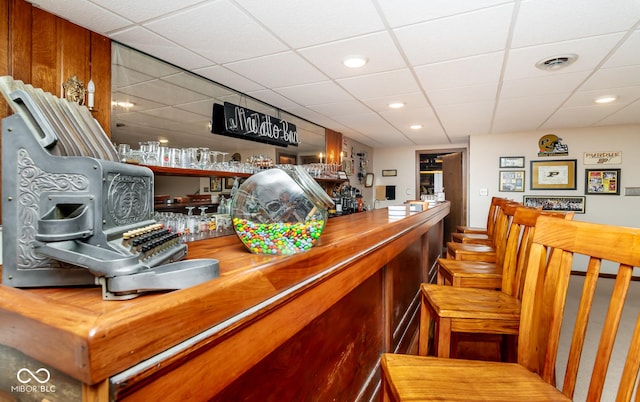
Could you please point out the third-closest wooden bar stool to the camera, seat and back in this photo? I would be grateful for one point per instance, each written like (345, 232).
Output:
(487, 275)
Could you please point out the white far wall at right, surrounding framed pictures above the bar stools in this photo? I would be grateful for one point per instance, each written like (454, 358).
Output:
(621, 210)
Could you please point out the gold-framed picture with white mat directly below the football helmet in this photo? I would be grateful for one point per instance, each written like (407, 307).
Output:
(553, 175)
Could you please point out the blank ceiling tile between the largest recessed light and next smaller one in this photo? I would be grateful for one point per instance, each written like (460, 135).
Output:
(390, 83)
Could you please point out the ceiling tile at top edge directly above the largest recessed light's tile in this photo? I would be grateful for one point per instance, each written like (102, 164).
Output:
(311, 22)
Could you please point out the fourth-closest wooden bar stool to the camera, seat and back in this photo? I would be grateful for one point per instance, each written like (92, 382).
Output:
(487, 253)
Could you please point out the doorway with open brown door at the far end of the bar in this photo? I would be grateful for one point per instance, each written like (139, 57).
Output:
(444, 169)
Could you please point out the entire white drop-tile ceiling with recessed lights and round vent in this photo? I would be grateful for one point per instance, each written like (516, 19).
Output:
(461, 67)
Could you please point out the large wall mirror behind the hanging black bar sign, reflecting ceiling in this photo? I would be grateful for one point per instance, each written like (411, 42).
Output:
(175, 105)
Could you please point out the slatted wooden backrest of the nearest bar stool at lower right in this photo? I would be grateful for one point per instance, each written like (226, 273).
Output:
(556, 242)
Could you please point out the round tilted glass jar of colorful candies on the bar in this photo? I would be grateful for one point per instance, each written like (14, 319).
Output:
(280, 211)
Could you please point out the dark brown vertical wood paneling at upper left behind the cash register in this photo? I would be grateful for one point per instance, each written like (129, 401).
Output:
(43, 50)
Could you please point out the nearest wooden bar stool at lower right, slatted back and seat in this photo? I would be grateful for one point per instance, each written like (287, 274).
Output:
(556, 243)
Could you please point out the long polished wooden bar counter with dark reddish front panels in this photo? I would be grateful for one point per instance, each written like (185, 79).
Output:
(310, 326)
